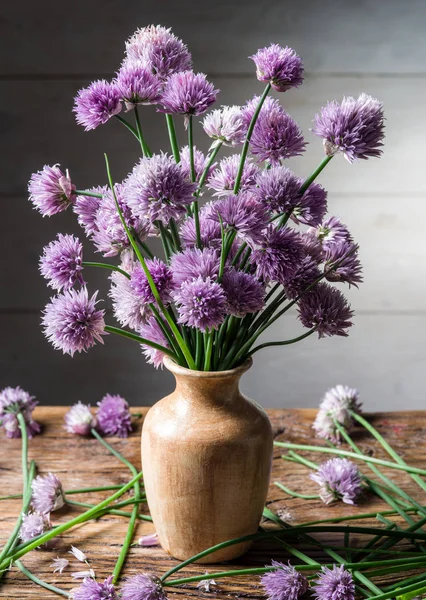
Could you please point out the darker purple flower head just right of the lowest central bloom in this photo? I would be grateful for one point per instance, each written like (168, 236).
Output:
(244, 293)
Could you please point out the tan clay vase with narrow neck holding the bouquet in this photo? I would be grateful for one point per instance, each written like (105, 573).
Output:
(206, 460)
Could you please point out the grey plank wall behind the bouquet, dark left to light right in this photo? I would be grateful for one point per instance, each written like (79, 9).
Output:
(48, 50)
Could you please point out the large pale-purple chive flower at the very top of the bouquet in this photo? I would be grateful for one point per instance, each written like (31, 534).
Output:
(159, 50)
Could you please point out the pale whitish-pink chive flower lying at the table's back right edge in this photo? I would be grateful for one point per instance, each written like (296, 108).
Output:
(337, 405)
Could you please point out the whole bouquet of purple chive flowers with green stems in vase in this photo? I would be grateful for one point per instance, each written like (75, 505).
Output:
(244, 238)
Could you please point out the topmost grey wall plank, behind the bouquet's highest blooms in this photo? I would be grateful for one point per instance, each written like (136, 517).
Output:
(340, 36)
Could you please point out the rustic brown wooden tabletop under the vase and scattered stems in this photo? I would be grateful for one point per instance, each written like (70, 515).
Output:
(83, 462)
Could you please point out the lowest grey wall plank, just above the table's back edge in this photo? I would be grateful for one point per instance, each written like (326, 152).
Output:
(384, 357)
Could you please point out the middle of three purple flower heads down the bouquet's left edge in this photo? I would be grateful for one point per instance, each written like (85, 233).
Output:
(61, 262)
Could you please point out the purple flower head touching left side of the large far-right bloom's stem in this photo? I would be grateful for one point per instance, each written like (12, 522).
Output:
(278, 189)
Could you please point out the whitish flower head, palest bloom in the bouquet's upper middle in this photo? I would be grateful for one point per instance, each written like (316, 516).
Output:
(226, 125)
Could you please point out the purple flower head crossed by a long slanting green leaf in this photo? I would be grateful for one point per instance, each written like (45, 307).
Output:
(162, 277)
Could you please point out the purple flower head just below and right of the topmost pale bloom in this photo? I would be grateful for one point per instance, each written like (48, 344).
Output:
(187, 93)
